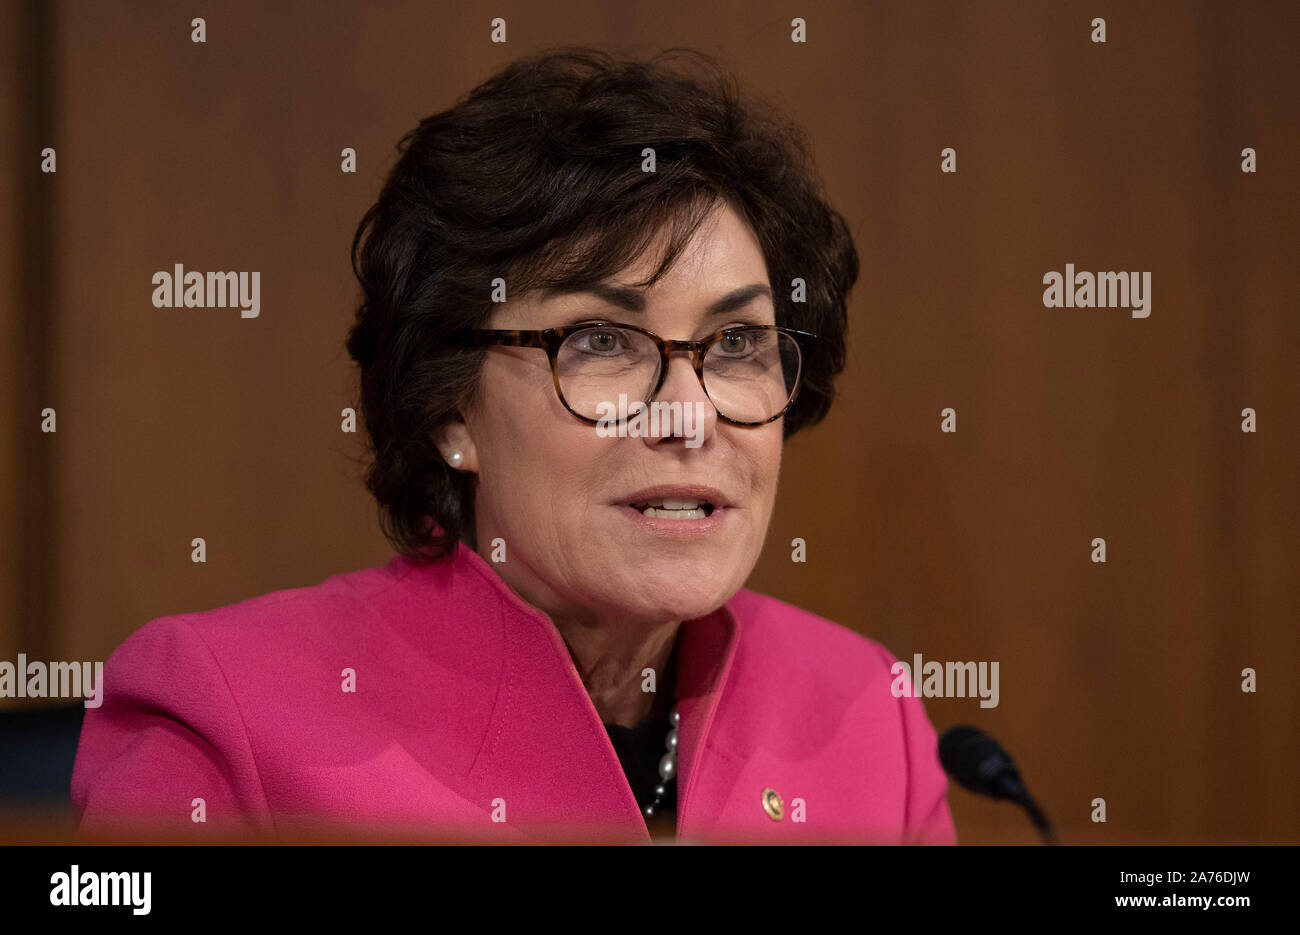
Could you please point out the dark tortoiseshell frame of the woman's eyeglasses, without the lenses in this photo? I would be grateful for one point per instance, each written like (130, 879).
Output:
(552, 339)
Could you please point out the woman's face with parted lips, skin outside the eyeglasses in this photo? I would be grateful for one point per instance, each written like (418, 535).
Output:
(560, 494)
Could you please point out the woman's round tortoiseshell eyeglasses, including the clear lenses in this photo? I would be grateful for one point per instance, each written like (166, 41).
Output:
(749, 373)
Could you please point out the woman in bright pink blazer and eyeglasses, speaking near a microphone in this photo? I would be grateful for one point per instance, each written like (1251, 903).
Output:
(562, 644)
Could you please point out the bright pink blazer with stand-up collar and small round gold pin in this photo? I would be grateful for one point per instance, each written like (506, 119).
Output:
(469, 718)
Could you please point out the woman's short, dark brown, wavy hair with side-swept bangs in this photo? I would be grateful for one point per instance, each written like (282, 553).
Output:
(536, 178)
